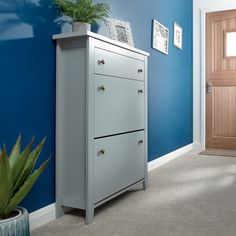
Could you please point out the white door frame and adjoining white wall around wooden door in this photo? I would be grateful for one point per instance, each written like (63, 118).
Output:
(198, 5)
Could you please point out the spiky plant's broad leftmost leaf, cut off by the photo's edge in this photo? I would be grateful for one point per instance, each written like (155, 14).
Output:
(5, 182)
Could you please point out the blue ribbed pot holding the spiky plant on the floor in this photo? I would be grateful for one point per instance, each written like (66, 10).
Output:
(17, 225)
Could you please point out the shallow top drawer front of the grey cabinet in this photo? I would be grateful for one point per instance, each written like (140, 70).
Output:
(114, 64)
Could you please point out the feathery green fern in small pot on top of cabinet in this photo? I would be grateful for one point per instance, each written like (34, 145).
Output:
(83, 12)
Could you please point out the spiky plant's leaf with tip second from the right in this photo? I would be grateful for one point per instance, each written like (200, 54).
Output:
(29, 165)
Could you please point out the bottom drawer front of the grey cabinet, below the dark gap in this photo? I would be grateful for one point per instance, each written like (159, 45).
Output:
(118, 163)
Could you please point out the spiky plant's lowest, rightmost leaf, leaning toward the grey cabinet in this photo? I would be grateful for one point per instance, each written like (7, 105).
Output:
(26, 187)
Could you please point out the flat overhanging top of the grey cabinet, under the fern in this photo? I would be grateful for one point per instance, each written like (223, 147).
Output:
(70, 35)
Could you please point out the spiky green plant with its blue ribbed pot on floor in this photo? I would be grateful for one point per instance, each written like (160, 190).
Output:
(16, 179)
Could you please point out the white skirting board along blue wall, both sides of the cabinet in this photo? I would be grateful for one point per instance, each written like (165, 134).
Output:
(48, 213)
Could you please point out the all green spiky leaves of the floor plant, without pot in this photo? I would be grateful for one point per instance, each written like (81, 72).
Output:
(16, 177)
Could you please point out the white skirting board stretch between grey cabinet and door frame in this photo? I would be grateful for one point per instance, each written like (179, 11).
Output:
(168, 157)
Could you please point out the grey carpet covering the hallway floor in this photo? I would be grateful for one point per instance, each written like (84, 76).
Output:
(194, 195)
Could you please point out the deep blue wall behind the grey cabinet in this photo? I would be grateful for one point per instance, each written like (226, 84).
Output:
(27, 79)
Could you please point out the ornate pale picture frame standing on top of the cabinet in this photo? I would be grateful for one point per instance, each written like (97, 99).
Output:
(120, 31)
